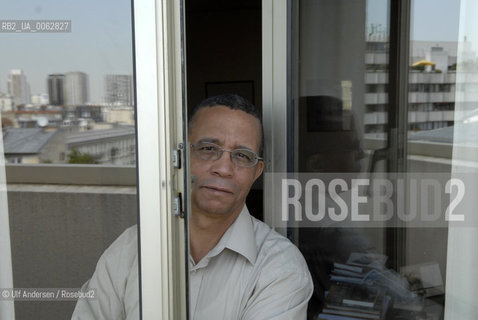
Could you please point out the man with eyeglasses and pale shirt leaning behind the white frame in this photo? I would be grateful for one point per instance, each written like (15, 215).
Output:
(239, 267)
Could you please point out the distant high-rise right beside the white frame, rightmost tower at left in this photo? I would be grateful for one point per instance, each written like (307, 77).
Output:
(119, 89)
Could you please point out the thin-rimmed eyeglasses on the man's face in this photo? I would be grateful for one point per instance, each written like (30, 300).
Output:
(211, 152)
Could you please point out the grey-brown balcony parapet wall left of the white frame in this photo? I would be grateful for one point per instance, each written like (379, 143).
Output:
(58, 232)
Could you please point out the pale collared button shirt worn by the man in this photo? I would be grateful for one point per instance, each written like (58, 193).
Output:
(252, 273)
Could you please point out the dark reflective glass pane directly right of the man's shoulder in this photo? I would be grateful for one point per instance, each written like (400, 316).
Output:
(343, 128)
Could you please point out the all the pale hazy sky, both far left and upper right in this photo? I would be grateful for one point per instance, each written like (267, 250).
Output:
(101, 38)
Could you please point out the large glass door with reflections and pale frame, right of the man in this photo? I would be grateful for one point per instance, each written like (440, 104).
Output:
(357, 95)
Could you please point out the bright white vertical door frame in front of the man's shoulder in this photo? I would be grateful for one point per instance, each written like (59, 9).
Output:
(159, 94)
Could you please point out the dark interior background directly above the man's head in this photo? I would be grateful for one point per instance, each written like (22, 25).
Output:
(223, 45)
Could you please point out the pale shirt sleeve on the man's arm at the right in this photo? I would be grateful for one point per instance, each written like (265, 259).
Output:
(283, 290)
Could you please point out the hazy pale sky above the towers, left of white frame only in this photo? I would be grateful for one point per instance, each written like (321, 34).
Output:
(100, 41)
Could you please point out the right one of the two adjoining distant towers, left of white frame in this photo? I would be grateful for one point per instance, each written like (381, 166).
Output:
(75, 88)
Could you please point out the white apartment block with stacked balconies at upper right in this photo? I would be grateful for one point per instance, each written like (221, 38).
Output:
(432, 84)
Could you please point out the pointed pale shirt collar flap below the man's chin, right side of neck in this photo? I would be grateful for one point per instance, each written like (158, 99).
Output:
(239, 238)
